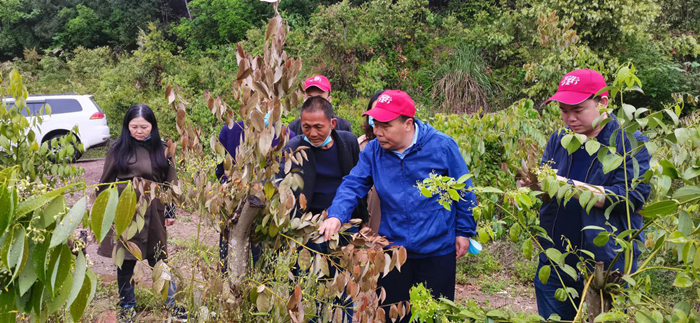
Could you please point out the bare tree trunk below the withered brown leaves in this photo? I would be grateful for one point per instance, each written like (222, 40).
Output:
(239, 241)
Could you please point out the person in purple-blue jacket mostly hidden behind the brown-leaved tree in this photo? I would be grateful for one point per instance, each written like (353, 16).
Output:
(231, 138)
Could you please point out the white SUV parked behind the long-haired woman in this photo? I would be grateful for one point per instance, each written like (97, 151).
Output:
(67, 111)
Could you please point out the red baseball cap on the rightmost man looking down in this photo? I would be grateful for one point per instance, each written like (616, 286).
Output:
(577, 86)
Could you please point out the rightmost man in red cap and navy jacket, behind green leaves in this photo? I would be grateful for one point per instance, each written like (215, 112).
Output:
(580, 106)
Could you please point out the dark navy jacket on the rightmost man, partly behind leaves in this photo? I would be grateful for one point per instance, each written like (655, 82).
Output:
(613, 182)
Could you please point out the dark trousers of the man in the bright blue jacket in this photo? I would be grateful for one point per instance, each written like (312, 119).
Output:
(436, 273)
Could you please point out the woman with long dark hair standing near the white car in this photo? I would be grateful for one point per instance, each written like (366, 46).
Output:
(140, 152)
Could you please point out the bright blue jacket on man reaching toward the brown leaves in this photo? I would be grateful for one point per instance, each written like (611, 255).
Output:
(409, 219)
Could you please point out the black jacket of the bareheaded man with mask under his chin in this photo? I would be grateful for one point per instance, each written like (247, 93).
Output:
(348, 156)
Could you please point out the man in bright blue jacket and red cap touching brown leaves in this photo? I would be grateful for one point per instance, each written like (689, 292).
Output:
(406, 151)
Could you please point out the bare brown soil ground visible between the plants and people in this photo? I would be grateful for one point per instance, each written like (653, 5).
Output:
(516, 298)
